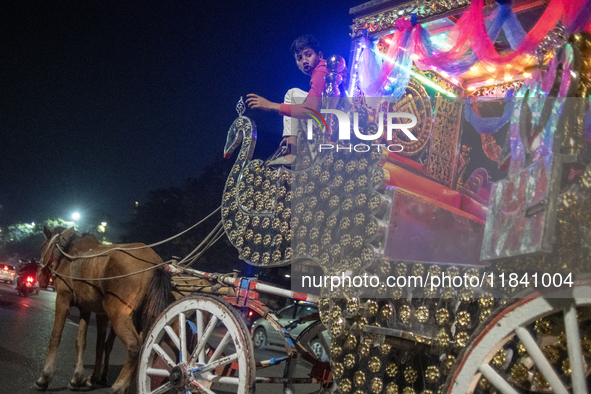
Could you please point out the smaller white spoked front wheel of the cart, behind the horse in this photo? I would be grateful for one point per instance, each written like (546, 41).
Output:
(198, 345)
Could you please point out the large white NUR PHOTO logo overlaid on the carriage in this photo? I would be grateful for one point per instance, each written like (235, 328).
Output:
(345, 129)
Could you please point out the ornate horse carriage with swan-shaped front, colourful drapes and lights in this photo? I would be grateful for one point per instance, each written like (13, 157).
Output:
(482, 271)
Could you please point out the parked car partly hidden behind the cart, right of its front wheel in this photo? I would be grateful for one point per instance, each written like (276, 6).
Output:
(263, 333)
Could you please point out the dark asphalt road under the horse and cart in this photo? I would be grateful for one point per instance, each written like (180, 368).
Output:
(25, 328)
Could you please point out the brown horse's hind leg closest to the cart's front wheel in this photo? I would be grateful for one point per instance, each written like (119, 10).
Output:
(122, 322)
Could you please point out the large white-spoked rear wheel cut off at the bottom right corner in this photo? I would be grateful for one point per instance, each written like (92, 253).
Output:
(538, 344)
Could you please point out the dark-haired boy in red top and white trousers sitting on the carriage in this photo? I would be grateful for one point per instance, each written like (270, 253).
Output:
(310, 61)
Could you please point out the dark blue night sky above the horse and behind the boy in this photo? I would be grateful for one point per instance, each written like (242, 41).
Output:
(102, 101)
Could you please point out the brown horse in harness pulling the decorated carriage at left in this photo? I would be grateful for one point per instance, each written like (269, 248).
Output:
(137, 291)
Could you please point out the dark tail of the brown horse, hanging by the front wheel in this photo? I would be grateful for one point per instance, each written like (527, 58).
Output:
(158, 297)
